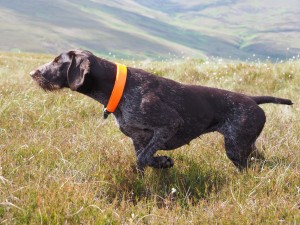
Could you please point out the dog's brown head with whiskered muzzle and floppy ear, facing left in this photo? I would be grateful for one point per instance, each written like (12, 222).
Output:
(66, 70)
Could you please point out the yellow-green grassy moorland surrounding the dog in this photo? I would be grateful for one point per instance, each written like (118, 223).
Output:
(61, 163)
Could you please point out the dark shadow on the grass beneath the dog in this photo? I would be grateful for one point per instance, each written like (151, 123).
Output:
(184, 185)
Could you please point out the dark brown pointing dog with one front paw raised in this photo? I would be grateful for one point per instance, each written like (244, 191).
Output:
(159, 113)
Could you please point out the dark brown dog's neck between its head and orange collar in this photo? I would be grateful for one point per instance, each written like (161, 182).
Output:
(100, 81)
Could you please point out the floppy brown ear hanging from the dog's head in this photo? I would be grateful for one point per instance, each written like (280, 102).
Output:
(77, 71)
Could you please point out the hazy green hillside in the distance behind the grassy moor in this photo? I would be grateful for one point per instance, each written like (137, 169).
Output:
(140, 28)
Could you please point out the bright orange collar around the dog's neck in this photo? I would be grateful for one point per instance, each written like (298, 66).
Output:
(117, 91)
